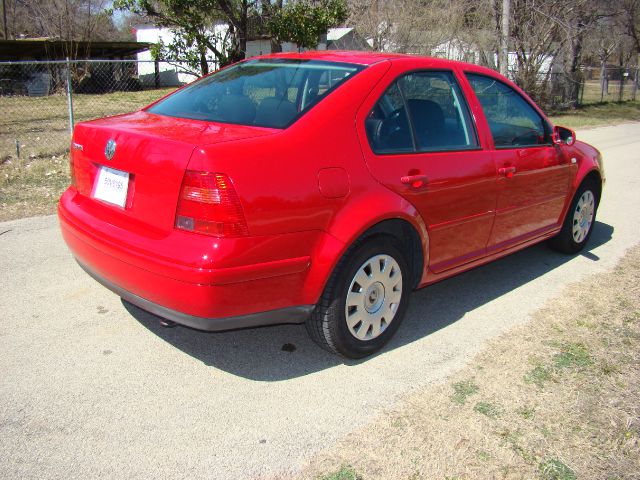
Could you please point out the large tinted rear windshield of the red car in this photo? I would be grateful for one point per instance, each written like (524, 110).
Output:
(268, 93)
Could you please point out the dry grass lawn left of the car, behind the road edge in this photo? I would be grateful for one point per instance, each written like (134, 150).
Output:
(31, 185)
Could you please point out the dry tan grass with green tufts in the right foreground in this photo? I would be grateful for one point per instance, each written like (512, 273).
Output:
(555, 399)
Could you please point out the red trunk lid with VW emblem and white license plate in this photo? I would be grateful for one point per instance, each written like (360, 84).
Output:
(144, 174)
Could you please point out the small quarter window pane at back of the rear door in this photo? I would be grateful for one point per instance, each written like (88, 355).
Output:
(387, 124)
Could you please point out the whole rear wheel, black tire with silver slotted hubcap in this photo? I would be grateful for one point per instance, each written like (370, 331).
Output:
(364, 301)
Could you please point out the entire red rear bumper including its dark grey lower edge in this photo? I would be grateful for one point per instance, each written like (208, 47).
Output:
(164, 275)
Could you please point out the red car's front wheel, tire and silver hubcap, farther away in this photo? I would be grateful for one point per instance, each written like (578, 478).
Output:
(578, 223)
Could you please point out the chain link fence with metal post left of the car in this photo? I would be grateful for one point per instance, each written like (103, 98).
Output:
(41, 101)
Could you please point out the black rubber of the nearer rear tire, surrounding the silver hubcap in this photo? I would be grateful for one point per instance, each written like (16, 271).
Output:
(328, 326)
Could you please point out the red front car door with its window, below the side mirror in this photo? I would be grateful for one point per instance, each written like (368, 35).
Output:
(533, 176)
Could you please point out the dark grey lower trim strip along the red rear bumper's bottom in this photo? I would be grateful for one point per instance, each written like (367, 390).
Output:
(274, 317)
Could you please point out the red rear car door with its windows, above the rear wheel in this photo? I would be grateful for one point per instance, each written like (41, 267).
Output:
(419, 140)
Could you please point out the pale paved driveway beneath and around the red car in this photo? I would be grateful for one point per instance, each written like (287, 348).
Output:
(93, 388)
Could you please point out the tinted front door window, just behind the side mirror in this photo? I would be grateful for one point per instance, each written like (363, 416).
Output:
(512, 120)
